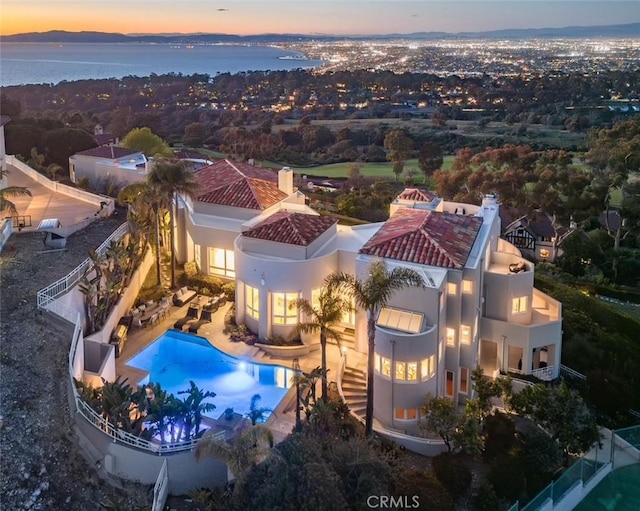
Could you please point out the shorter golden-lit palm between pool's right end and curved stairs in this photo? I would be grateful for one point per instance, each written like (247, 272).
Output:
(321, 318)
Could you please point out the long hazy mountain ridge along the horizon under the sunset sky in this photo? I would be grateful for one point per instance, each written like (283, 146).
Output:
(62, 36)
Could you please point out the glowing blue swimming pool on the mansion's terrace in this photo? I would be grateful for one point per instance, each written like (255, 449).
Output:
(177, 357)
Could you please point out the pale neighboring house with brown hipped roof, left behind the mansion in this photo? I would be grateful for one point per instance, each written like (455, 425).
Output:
(109, 164)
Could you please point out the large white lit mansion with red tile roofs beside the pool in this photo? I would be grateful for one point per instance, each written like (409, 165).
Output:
(478, 306)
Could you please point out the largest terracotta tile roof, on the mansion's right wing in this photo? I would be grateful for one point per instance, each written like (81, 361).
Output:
(425, 237)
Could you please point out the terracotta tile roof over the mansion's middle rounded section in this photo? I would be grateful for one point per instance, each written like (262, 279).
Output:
(291, 228)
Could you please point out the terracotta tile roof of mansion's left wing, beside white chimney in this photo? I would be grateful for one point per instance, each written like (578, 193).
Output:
(238, 184)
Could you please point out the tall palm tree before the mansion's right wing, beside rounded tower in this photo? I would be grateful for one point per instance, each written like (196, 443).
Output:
(372, 294)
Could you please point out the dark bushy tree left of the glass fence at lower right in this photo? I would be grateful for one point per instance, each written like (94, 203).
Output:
(562, 413)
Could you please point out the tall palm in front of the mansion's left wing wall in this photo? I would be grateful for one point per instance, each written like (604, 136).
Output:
(172, 178)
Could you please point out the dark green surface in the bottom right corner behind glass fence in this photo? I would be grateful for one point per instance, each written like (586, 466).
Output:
(618, 491)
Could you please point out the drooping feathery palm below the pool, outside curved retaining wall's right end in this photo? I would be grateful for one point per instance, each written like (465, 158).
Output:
(251, 446)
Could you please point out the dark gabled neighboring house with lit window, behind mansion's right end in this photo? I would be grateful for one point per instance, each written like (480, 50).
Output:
(537, 238)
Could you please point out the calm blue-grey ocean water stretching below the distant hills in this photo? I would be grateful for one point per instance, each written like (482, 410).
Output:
(37, 63)
